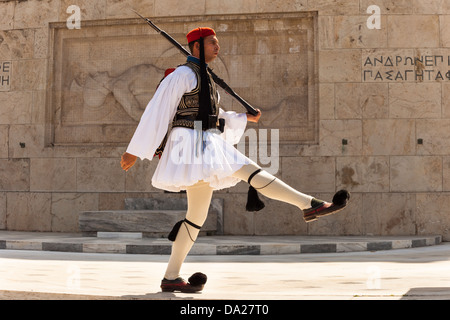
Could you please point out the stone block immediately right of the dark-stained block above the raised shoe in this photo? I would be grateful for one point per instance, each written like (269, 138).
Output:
(416, 174)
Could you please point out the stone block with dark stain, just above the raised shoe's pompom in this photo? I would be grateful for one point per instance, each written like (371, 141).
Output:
(362, 174)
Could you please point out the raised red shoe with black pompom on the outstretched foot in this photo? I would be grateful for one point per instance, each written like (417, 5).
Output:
(321, 208)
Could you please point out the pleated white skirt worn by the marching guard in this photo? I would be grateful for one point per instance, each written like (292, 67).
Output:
(191, 156)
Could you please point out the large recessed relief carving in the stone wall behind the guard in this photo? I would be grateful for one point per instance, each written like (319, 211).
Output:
(103, 75)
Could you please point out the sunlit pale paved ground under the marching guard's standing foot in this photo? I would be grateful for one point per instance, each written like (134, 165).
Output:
(413, 273)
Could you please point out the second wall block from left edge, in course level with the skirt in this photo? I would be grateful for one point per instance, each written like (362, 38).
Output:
(53, 174)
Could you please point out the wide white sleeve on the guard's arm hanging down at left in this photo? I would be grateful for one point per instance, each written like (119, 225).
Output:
(160, 111)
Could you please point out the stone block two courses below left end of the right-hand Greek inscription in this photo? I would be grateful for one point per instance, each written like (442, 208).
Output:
(389, 137)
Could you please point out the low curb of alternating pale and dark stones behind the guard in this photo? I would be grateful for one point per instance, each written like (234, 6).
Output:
(213, 245)
